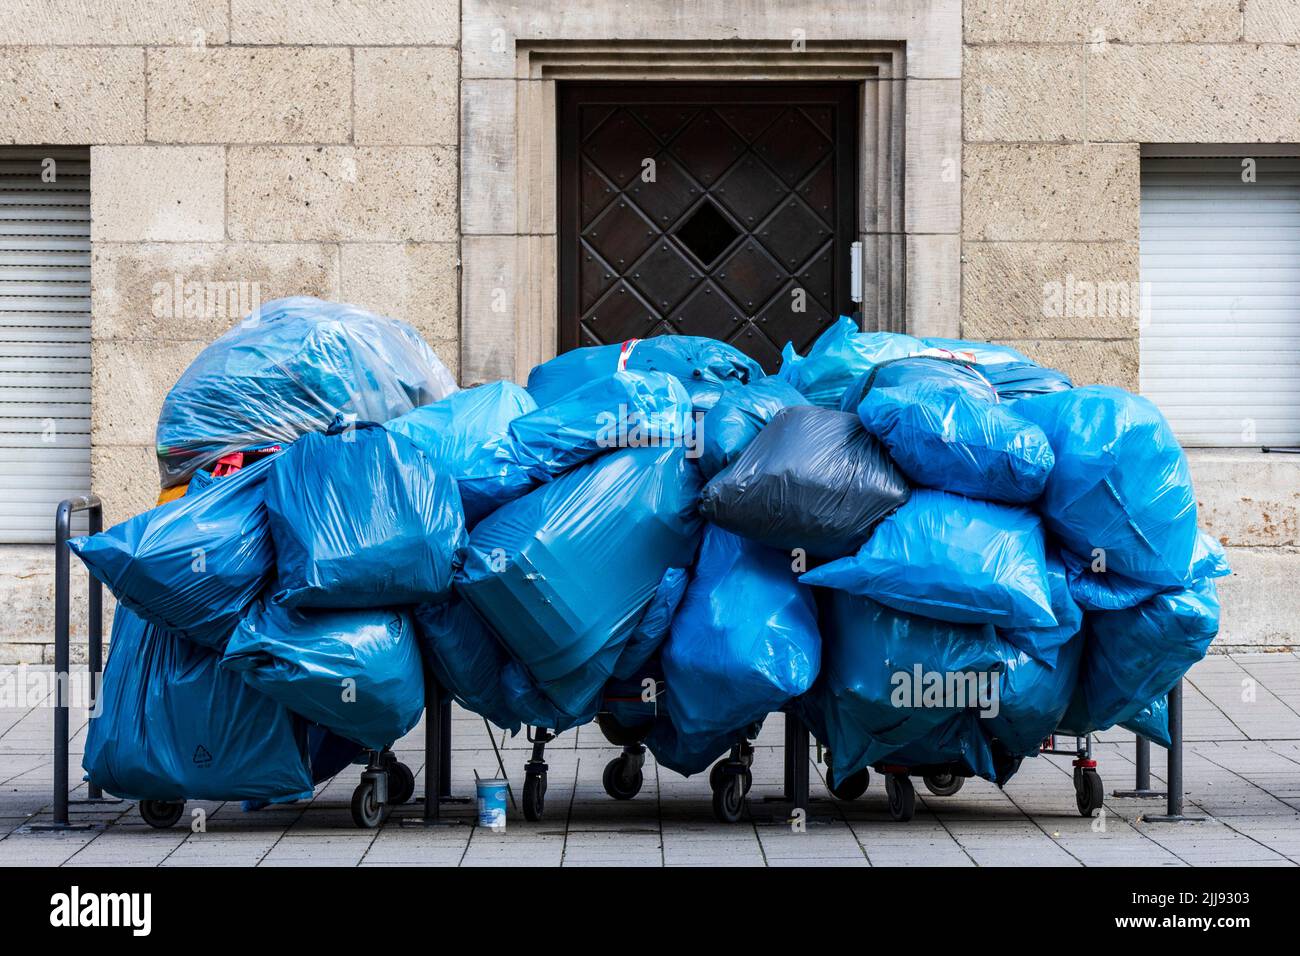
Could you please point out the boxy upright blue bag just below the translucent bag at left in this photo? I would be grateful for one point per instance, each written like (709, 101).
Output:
(363, 518)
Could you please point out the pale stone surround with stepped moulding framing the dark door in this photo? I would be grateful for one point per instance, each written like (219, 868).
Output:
(907, 55)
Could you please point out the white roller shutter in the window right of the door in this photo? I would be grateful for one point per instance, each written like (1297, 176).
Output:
(1221, 274)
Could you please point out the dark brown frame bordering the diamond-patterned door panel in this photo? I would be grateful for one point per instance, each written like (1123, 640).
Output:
(843, 94)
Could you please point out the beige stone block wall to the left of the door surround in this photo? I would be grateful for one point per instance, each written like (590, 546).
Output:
(305, 146)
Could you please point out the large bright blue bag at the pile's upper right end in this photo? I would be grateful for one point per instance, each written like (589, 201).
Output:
(1121, 483)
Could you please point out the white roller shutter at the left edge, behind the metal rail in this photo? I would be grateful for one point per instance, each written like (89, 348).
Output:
(45, 338)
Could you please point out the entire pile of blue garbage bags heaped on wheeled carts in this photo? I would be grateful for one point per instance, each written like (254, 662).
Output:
(934, 552)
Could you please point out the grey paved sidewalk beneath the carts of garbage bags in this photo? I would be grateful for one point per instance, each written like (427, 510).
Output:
(1242, 773)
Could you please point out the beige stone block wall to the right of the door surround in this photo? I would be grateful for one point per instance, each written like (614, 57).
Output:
(1058, 98)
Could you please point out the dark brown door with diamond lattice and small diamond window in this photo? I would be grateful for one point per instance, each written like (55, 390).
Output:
(707, 210)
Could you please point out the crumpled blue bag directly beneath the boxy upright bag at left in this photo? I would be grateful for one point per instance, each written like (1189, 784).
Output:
(356, 672)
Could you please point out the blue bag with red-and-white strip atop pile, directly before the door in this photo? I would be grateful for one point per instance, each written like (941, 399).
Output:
(704, 366)
